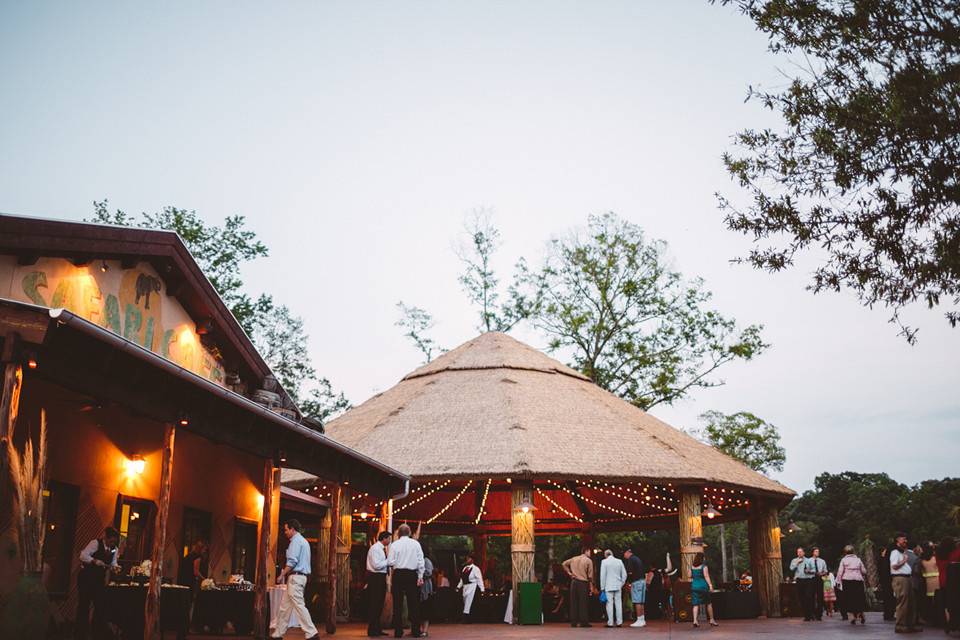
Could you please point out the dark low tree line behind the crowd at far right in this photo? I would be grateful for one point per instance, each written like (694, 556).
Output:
(844, 508)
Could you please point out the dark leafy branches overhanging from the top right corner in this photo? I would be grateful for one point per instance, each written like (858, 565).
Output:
(866, 170)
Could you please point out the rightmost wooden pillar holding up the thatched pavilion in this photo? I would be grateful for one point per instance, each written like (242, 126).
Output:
(766, 565)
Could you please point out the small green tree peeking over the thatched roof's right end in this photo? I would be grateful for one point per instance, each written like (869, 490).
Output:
(744, 437)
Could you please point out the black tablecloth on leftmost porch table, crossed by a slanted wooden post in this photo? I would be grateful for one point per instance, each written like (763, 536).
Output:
(122, 606)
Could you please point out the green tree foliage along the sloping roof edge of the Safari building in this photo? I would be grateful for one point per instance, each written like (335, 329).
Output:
(279, 335)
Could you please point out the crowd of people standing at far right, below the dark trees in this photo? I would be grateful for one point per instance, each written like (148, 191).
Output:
(912, 584)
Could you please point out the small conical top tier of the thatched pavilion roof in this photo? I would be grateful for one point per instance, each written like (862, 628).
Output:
(494, 350)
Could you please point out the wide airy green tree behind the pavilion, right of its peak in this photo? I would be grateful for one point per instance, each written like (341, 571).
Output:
(631, 324)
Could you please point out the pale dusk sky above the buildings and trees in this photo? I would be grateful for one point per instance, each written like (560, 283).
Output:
(356, 136)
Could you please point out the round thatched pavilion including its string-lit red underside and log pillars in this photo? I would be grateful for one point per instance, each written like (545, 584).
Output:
(495, 427)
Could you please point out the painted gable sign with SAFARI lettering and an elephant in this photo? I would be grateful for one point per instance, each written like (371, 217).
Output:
(129, 302)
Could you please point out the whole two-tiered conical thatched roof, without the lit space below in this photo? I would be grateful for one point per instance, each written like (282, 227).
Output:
(495, 407)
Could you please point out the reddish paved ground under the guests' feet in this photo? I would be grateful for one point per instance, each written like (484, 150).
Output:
(791, 629)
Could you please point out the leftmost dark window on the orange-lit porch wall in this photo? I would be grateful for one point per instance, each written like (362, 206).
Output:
(61, 513)
